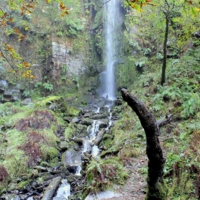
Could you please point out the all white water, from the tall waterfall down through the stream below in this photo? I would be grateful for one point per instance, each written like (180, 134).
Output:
(108, 92)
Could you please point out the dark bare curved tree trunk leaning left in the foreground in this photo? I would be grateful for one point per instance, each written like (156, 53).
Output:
(156, 189)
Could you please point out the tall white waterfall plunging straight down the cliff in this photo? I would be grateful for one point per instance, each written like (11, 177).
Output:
(111, 25)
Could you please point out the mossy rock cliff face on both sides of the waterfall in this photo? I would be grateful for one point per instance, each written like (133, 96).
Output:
(65, 52)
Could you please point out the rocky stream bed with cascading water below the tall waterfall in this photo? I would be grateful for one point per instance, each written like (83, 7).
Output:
(67, 179)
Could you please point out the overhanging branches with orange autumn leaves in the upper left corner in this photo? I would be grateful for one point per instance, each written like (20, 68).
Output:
(13, 12)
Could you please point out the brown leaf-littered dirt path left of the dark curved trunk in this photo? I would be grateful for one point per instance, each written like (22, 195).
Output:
(135, 186)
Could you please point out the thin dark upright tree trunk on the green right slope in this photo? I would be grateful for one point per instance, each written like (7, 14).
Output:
(163, 78)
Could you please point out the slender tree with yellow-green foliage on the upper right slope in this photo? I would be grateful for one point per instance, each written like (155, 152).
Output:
(172, 13)
